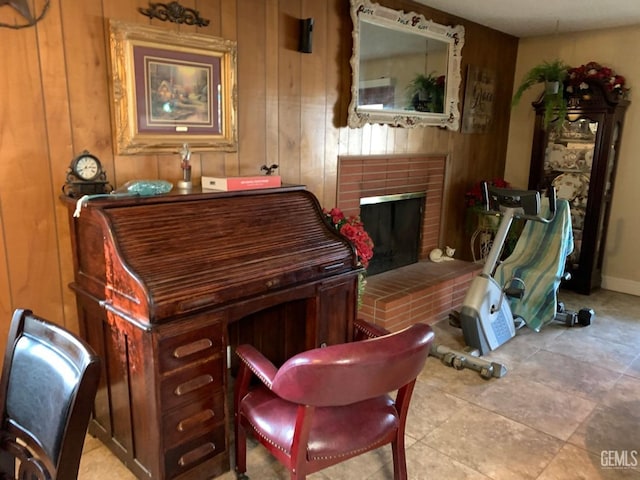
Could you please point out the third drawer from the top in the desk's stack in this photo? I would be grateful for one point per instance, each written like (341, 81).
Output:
(194, 419)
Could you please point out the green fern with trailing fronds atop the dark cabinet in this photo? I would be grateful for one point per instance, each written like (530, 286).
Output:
(552, 74)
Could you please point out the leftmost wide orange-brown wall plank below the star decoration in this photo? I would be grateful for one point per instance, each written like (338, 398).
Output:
(28, 214)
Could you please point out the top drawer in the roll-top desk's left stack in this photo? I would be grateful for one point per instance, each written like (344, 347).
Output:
(188, 347)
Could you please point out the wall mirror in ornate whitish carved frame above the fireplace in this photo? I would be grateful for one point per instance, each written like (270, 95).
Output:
(406, 69)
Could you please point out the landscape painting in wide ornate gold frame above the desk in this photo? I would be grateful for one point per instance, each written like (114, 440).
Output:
(170, 88)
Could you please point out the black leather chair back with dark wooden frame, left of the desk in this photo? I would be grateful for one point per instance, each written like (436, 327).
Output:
(47, 389)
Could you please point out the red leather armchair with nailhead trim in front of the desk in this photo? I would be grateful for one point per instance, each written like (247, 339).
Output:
(330, 404)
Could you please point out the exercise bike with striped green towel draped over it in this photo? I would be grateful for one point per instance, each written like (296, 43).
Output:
(498, 301)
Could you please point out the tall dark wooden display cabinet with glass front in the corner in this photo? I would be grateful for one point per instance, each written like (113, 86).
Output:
(579, 158)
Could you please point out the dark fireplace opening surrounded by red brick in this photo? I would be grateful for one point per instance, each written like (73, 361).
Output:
(394, 223)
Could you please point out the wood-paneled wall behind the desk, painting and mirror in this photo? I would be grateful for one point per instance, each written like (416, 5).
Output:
(292, 110)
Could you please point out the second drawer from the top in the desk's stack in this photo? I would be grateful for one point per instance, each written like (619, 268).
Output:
(192, 384)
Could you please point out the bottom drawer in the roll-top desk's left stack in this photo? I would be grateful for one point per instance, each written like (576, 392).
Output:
(178, 460)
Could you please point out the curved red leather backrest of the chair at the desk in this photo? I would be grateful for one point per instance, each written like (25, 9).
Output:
(347, 373)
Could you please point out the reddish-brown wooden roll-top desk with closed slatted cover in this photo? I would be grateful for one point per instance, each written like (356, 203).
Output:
(164, 285)
